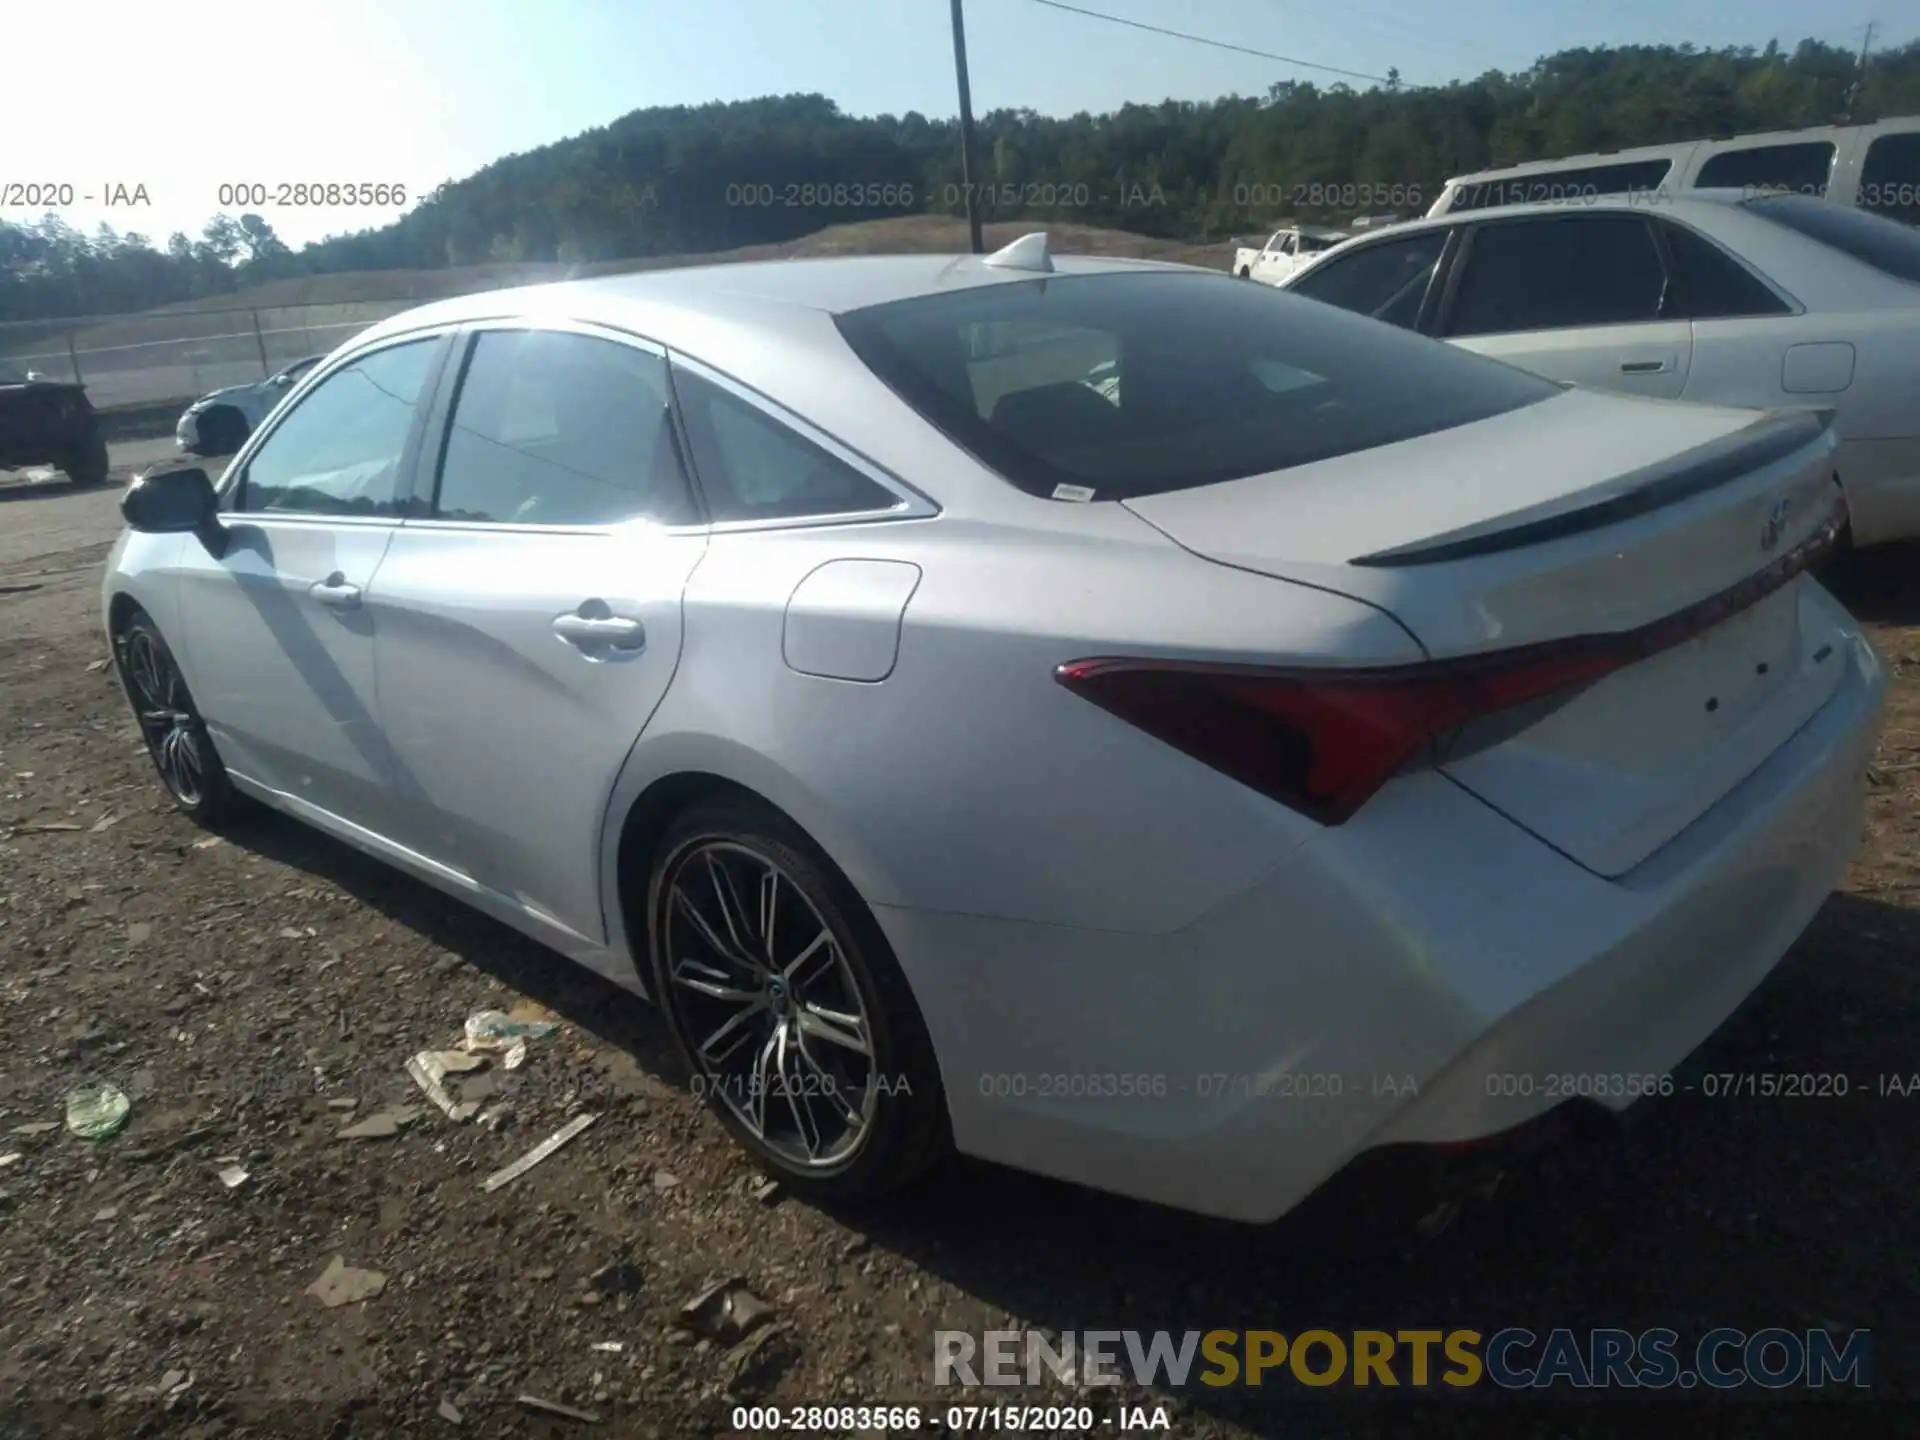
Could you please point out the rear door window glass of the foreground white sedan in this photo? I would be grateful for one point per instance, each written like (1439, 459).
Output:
(562, 429)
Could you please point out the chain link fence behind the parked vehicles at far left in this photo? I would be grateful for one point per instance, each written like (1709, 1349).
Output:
(180, 356)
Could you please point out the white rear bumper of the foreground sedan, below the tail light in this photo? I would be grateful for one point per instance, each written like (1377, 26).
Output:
(1424, 974)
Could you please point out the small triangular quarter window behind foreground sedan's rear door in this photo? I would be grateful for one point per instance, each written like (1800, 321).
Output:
(754, 468)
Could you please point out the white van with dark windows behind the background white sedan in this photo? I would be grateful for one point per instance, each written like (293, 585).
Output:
(1871, 166)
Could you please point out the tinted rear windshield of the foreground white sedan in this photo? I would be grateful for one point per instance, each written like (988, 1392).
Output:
(1134, 385)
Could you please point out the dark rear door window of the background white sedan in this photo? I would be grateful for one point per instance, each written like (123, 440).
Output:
(1558, 274)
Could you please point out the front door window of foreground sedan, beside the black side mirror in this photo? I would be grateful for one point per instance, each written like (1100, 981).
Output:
(341, 448)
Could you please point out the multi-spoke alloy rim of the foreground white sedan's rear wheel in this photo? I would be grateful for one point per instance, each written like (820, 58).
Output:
(769, 1005)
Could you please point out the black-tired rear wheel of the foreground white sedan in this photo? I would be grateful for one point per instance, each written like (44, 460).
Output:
(896, 1088)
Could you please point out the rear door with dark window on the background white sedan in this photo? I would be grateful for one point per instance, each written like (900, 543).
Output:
(1579, 299)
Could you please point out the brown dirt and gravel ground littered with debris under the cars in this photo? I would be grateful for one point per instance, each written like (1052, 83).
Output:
(245, 990)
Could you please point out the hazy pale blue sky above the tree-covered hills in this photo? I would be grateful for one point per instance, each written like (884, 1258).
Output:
(183, 99)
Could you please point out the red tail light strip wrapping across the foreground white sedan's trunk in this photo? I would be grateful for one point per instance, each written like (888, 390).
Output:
(1324, 742)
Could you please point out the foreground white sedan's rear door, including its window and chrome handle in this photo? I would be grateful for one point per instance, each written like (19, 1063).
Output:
(531, 610)
